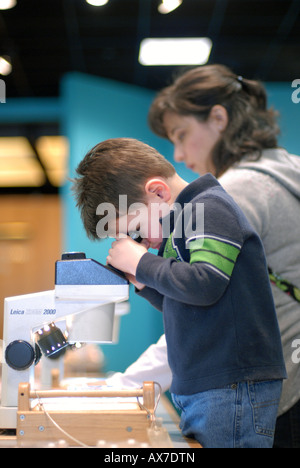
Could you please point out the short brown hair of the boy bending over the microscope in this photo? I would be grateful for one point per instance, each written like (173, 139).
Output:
(119, 166)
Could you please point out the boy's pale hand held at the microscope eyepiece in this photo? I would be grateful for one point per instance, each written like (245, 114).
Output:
(125, 255)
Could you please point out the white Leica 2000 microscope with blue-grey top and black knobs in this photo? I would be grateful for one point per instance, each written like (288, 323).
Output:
(81, 309)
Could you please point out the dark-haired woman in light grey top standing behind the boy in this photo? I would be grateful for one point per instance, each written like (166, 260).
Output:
(219, 123)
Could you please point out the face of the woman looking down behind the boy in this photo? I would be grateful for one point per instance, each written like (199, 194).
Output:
(193, 141)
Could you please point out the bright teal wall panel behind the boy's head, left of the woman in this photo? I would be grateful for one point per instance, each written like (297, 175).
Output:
(94, 110)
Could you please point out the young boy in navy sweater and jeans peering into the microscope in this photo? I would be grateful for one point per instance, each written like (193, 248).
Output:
(210, 281)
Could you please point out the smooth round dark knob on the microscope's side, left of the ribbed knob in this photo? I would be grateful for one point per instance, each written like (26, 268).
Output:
(19, 355)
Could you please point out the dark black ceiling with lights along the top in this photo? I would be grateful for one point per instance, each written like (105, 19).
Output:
(47, 38)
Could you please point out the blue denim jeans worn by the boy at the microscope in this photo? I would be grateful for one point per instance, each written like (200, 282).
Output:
(241, 415)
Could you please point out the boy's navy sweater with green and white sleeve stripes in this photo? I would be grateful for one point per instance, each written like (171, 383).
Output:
(213, 287)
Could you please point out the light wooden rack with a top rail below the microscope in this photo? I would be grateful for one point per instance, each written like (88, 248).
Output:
(85, 427)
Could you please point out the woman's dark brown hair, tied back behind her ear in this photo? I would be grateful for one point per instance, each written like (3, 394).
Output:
(251, 126)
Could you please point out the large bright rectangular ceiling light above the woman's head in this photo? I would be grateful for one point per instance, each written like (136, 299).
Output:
(175, 51)
